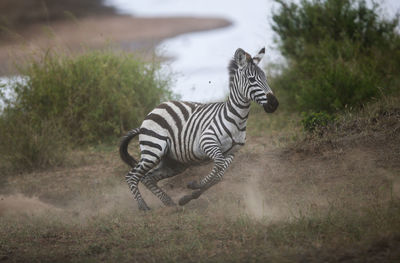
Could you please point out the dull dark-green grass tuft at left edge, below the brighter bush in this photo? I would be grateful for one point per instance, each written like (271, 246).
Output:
(27, 145)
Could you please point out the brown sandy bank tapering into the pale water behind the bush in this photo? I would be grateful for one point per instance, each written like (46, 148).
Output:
(124, 32)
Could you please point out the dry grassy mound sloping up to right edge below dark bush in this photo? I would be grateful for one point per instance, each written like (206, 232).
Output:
(376, 123)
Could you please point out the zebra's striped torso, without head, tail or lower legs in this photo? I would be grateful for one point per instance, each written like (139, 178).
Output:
(186, 126)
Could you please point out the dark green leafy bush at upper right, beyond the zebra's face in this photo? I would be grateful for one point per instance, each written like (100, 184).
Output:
(339, 54)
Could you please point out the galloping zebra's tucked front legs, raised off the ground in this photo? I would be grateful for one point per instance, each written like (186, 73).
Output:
(220, 165)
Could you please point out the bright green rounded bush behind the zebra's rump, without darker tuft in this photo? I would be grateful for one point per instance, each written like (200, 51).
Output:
(94, 96)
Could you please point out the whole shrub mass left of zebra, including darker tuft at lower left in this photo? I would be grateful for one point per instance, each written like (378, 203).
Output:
(76, 100)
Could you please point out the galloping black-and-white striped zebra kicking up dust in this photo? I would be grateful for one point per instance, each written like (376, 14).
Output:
(178, 134)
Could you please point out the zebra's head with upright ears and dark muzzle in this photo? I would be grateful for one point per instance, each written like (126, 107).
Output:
(252, 80)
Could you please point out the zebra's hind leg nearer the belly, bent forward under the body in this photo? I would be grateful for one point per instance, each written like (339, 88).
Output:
(166, 169)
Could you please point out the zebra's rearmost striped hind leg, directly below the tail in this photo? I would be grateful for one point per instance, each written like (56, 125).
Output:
(135, 175)
